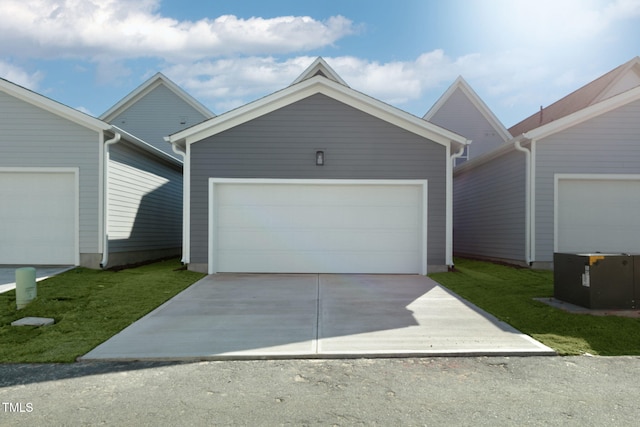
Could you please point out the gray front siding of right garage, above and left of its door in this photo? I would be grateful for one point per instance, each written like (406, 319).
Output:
(608, 144)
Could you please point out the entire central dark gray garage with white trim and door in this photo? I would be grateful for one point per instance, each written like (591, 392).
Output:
(317, 178)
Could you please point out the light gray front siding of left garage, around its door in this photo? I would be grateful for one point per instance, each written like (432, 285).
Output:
(33, 137)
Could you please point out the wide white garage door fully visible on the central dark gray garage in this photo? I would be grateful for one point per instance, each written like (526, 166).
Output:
(335, 227)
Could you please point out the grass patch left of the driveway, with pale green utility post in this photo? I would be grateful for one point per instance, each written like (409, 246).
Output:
(89, 306)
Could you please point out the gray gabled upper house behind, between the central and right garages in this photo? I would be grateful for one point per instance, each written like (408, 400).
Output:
(461, 110)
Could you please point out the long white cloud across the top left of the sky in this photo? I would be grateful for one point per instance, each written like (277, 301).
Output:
(128, 29)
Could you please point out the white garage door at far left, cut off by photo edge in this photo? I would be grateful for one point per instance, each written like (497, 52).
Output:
(38, 218)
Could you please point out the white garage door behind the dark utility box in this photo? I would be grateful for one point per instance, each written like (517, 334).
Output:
(598, 215)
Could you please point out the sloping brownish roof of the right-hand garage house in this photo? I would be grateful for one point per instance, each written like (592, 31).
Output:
(616, 81)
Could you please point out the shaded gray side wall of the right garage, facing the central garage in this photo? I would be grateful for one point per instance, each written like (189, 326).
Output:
(489, 209)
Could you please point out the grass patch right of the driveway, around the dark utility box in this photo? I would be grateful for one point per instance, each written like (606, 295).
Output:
(508, 292)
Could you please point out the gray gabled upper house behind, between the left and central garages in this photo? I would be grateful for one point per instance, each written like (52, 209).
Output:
(155, 109)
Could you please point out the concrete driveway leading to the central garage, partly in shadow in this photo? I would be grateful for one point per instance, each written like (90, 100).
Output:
(254, 316)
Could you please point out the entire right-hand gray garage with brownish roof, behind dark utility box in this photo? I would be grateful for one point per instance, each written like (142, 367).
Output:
(568, 181)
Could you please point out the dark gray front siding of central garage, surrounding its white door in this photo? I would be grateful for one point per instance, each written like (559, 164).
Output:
(282, 144)
